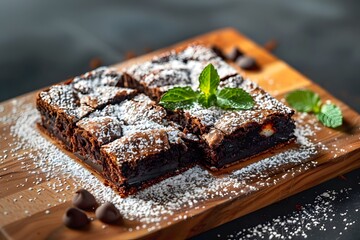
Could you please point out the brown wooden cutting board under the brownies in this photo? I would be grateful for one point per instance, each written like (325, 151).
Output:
(342, 155)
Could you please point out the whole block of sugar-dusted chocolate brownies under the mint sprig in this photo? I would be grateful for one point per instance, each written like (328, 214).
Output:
(112, 122)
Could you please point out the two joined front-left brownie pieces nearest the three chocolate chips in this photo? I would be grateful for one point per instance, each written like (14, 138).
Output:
(133, 145)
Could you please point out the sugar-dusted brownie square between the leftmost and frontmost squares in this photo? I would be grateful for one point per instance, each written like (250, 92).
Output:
(112, 122)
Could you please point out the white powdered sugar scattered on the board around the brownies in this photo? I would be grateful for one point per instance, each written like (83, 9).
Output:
(153, 204)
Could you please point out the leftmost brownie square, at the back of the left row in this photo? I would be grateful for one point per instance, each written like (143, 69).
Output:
(62, 105)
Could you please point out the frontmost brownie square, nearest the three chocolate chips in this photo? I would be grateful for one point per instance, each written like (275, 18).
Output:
(142, 158)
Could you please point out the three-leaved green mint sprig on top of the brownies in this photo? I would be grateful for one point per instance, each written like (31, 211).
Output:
(208, 94)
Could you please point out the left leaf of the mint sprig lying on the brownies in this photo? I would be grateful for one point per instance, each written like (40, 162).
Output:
(179, 97)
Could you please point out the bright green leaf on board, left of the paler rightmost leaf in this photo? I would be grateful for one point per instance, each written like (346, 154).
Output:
(304, 101)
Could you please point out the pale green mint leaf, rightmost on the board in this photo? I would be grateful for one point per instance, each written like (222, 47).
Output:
(330, 115)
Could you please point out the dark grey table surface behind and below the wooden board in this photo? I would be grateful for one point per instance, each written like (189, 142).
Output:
(43, 42)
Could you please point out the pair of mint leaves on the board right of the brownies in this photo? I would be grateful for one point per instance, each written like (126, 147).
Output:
(307, 101)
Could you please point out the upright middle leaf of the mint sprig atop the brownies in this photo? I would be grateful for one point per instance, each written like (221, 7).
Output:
(209, 80)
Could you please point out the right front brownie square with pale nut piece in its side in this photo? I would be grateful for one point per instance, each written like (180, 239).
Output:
(231, 136)
